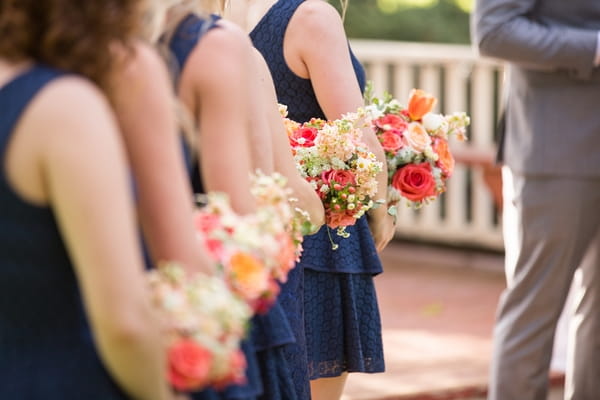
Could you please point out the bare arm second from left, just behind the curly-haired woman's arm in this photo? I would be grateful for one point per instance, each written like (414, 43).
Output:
(145, 108)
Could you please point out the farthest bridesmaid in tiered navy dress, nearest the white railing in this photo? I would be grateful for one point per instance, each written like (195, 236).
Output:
(316, 75)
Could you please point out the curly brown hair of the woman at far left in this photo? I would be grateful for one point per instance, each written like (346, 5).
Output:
(73, 35)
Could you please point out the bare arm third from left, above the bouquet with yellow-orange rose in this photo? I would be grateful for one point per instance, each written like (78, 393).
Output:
(214, 86)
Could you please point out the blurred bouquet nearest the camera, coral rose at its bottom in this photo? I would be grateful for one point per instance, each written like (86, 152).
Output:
(206, 324)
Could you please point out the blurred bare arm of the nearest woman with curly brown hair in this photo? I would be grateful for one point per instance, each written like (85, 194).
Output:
(84, 177)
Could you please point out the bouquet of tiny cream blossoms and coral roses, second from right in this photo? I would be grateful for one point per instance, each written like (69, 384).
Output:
(332, 157)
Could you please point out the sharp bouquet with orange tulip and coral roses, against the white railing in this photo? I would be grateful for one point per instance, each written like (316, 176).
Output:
(415, 142)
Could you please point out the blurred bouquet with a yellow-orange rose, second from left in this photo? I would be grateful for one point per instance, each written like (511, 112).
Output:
(255, 252)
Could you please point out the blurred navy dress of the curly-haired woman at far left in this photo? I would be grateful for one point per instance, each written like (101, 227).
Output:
(46, 347)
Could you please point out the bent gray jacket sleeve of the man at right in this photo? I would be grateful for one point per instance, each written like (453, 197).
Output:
(505, 29)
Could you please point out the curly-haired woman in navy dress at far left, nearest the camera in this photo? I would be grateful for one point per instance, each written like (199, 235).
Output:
(71, 259)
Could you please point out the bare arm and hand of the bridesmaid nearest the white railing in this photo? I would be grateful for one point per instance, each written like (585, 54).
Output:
(316, 39)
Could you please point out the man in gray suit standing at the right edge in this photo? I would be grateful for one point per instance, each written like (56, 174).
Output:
(552, 162)
